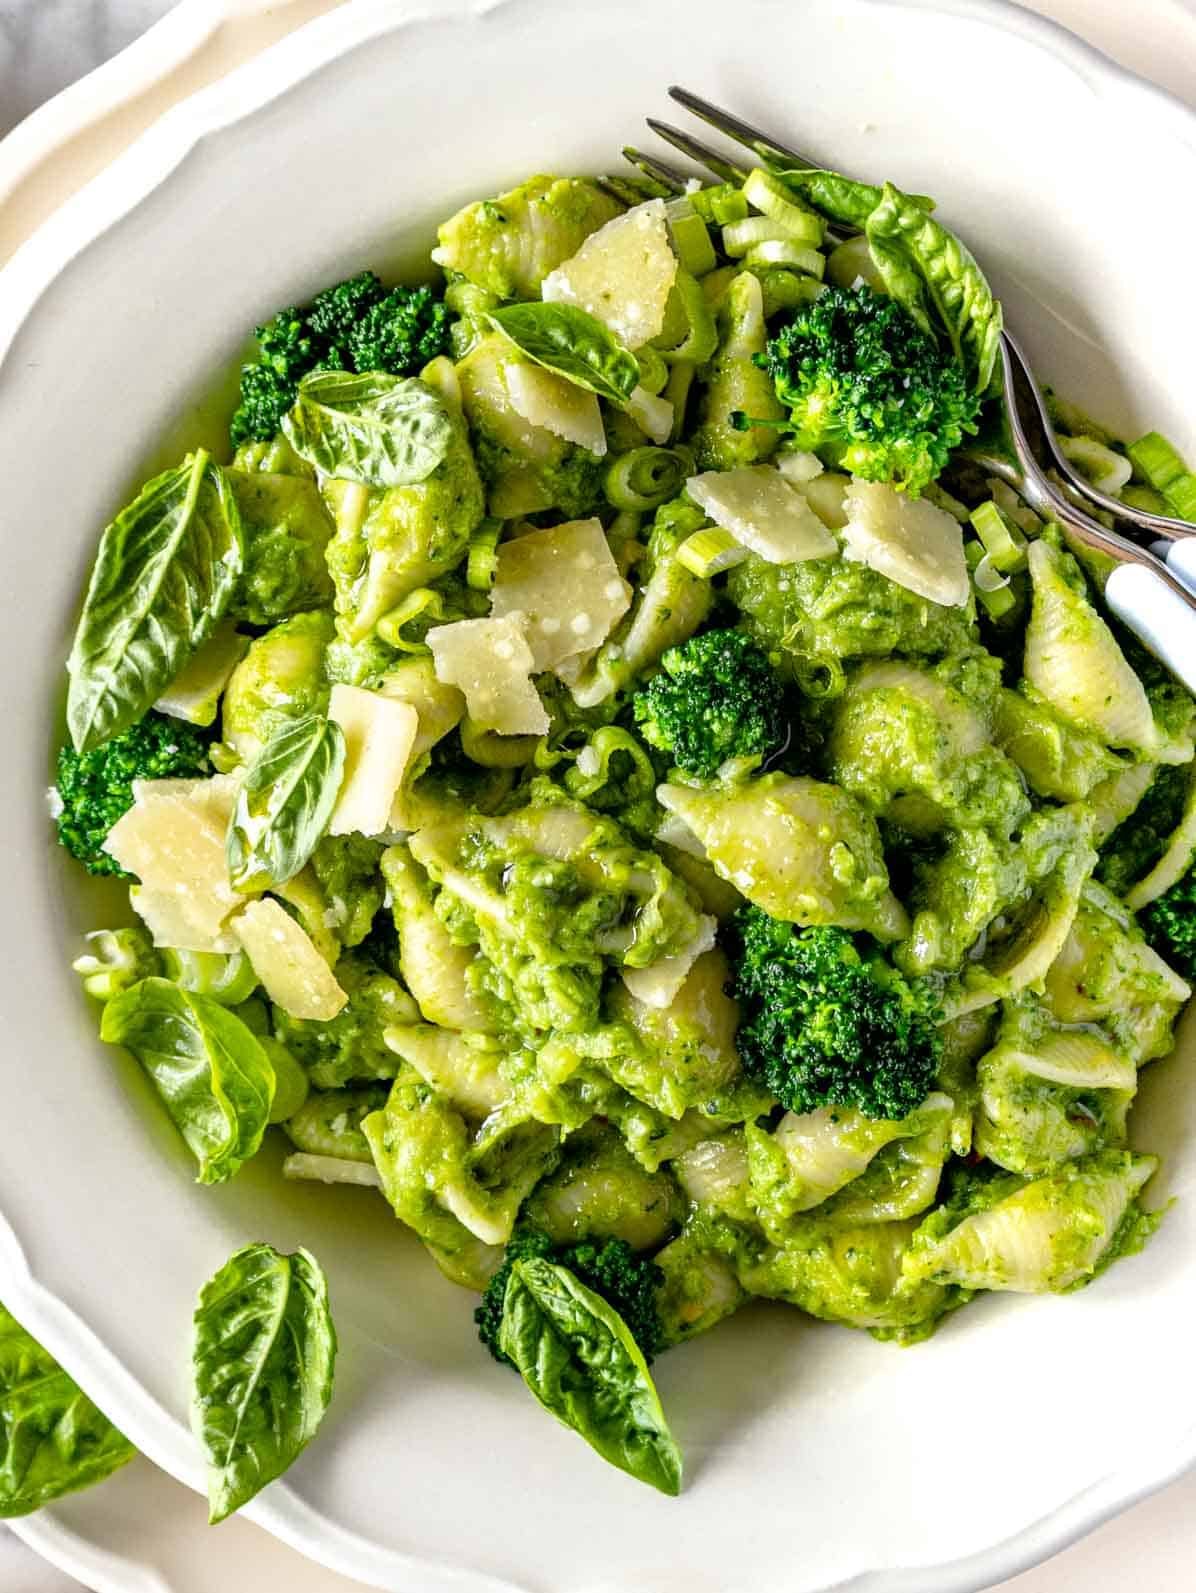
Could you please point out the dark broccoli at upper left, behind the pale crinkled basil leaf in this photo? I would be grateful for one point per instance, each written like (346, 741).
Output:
(356, 326)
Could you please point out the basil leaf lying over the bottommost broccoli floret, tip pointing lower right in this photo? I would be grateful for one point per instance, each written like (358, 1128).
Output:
(577, 1356)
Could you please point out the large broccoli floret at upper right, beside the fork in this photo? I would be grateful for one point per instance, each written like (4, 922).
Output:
(869, 389)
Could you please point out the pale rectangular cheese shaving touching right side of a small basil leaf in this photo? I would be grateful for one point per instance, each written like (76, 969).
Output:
(380, 735)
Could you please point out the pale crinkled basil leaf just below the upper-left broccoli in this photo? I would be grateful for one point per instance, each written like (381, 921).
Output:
(380, 431)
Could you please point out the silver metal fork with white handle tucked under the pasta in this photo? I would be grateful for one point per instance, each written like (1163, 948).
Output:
(1154, 597)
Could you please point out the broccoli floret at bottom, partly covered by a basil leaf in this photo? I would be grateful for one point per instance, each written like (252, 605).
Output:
(614, 1270)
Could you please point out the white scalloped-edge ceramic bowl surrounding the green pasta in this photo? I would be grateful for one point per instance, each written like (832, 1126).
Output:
(816, 1458)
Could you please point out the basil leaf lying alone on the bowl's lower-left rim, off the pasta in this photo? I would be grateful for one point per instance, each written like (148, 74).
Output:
(262, 1366)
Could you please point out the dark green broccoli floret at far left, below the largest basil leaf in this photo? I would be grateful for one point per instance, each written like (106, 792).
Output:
(96, 788)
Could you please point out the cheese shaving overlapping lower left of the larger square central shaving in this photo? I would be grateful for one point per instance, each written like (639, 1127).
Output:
(493, 665)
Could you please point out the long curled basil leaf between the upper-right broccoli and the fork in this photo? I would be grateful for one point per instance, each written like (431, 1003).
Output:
(926, 267)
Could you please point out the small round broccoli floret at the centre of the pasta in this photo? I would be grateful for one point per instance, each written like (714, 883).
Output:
(714, 699)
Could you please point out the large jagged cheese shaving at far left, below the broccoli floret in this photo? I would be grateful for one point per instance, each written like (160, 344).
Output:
(173, 840)
